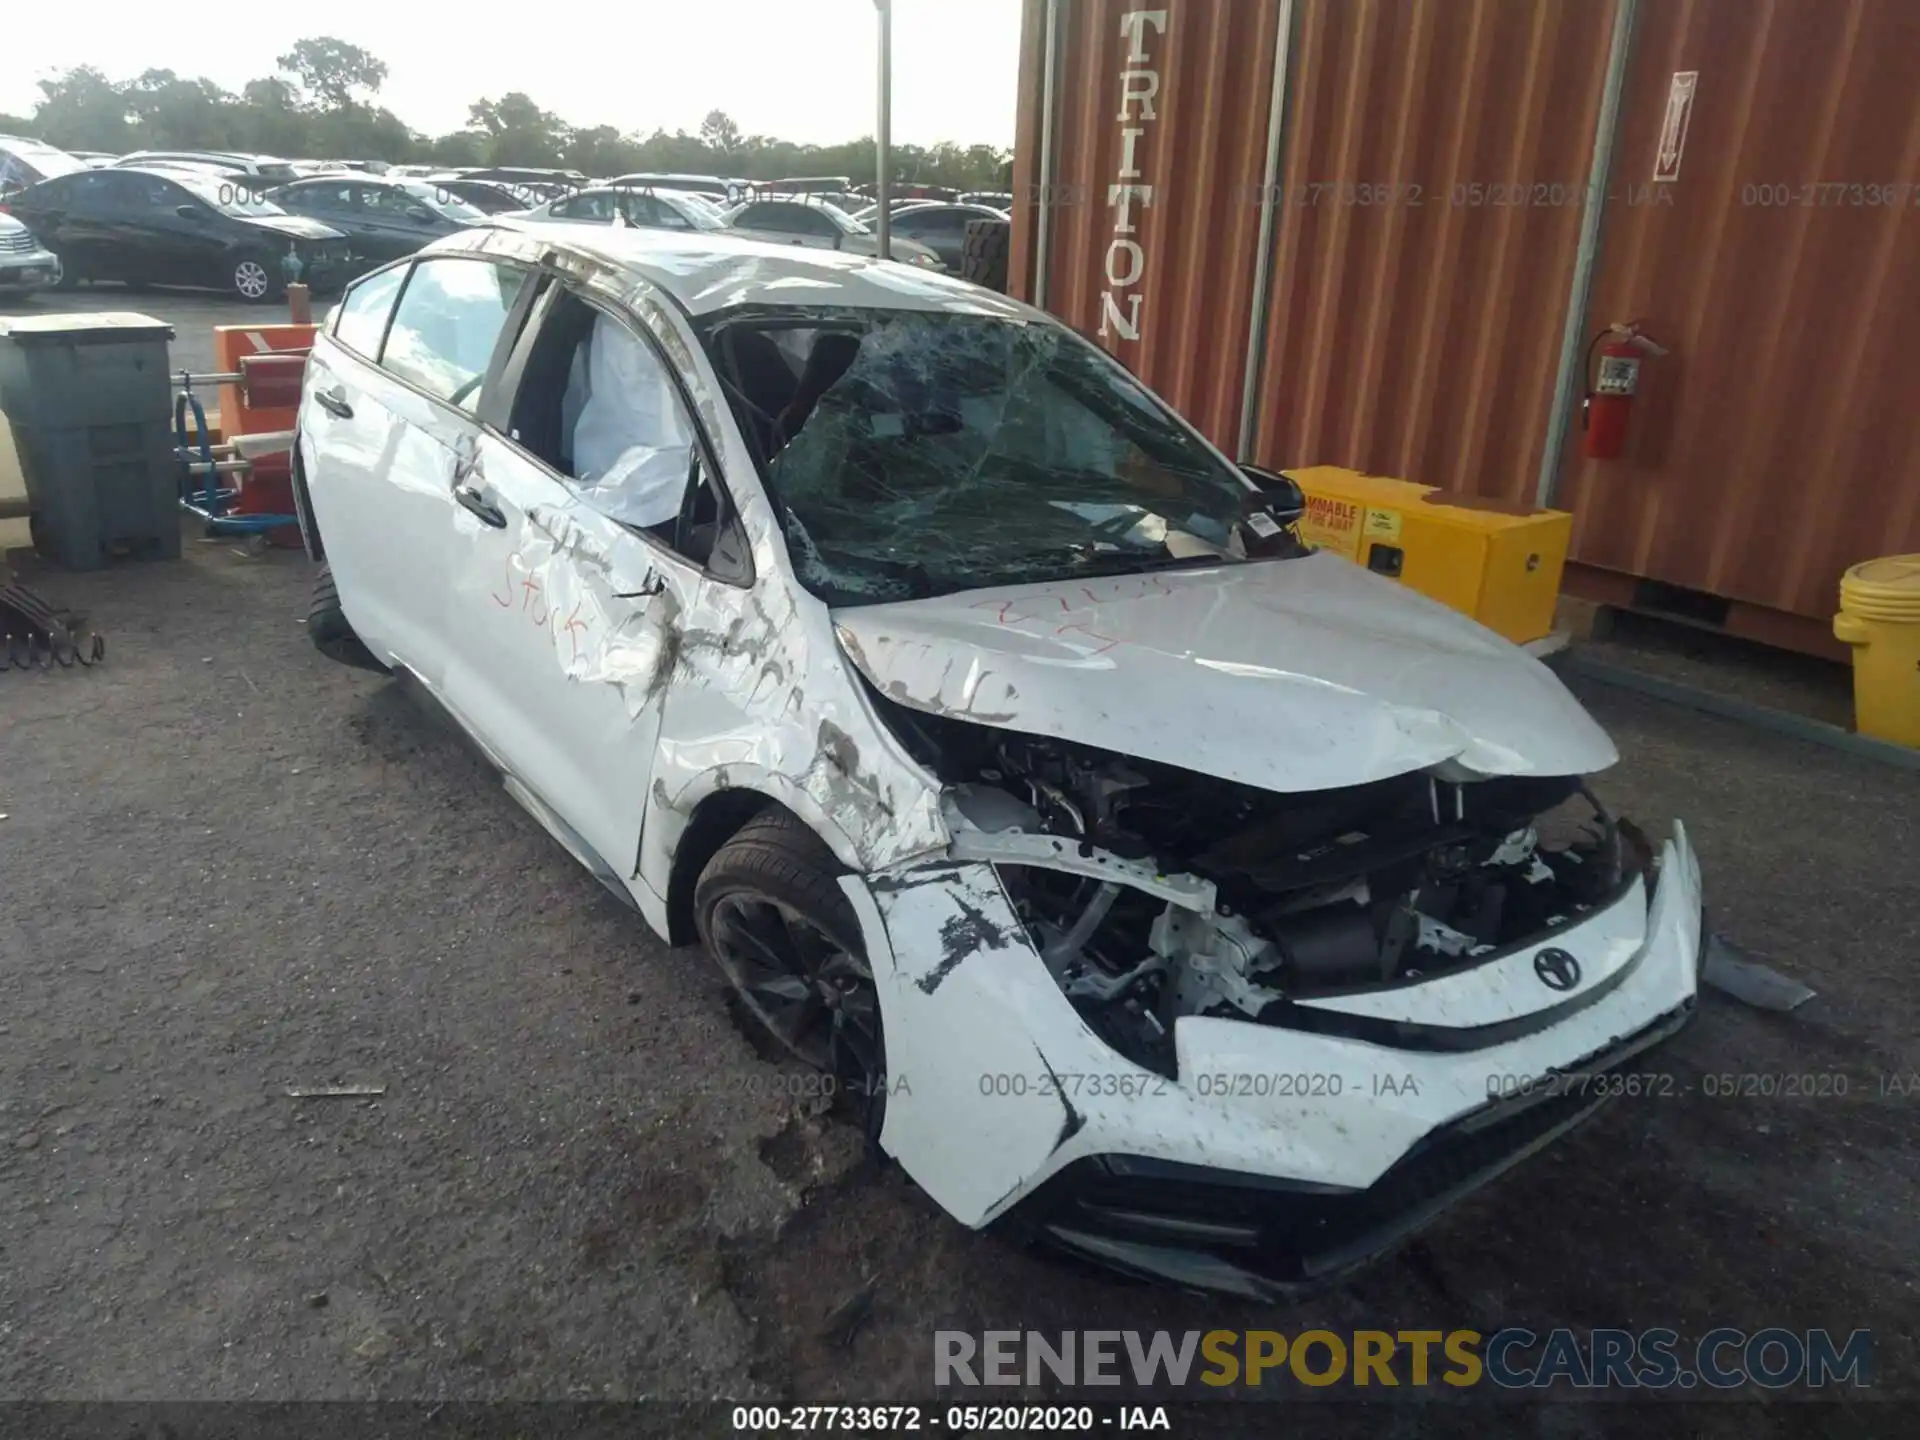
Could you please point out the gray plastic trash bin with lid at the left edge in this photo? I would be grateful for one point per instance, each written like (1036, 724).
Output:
(93, 423)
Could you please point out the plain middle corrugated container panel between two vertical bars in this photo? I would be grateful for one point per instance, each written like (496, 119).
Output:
(1437, 164)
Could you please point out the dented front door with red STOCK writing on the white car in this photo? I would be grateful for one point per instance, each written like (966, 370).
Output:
(571, 592)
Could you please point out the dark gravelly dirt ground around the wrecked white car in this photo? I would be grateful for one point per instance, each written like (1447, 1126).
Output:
(229, 869)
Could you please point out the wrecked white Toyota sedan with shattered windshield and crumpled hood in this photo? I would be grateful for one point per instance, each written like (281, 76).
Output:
(1145, 880)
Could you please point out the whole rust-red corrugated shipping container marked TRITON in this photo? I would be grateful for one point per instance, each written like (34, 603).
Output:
(1383, 235)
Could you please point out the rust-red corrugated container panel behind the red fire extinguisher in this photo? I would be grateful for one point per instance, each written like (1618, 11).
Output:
(1783, 439)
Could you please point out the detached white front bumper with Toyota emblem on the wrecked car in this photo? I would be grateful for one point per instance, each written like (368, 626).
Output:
(1349, 1134)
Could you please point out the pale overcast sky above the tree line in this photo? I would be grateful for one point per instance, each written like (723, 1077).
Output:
(802, 70)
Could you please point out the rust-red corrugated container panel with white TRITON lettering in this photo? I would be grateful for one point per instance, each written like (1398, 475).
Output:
(1203, 153)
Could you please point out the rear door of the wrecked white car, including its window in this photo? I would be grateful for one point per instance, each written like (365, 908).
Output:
(389, 431)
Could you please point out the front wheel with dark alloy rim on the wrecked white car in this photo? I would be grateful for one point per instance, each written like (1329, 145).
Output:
(779, 875)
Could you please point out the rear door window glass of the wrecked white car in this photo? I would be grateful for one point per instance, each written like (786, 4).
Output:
(444, 329)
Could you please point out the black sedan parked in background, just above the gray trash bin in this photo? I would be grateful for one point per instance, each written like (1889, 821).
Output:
(180, 228)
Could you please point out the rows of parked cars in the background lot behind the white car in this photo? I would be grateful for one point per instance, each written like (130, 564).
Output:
(251, 226)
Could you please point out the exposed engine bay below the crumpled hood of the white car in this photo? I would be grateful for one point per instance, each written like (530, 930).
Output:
(1262, 898)
